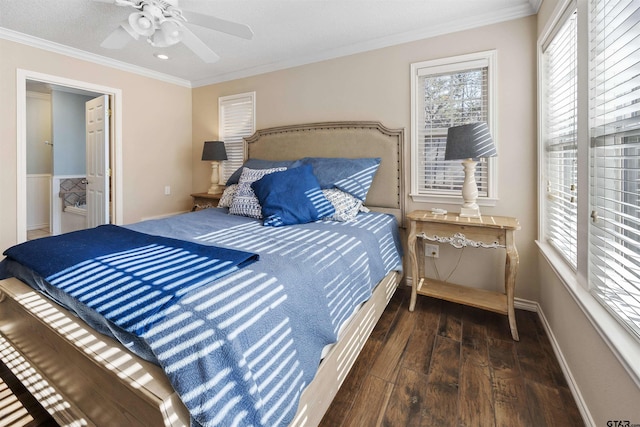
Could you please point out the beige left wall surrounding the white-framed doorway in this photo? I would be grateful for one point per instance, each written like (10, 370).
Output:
(156, 134)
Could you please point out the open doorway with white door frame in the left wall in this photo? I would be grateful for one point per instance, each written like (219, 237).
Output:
(65, 158)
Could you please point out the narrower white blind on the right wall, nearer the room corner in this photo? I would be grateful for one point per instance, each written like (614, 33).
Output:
(560, 139)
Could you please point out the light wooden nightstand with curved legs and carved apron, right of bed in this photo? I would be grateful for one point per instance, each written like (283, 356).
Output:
(490, 232)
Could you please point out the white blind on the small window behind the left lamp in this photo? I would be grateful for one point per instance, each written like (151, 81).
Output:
(236, 121)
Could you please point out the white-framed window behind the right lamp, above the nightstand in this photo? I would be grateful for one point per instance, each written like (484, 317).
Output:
(445, 93)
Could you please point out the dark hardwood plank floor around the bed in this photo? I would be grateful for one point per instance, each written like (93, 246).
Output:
(442, 365)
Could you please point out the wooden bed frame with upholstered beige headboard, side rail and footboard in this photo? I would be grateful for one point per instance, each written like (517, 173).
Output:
(84, 378)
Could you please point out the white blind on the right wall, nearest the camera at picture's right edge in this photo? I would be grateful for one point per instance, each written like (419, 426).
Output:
(614, 233)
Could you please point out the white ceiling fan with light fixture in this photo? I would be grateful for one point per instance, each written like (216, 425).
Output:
(163, 24)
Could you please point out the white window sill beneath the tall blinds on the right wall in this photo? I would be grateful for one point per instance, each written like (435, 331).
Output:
(621, 342)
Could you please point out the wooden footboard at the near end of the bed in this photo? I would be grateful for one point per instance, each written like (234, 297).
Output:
(93, 379)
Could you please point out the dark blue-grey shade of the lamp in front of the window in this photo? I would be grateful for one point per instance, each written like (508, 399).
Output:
(470, 141)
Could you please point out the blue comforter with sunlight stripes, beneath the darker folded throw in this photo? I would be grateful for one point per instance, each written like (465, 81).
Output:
(241, 349)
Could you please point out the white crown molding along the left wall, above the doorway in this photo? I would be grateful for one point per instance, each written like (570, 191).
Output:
(50, 46)
